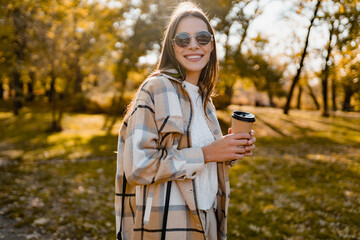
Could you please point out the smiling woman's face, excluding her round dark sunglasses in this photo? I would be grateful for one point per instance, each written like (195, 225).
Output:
(194, 57)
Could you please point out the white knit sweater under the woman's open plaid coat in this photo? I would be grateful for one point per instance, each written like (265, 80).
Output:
(206, 181)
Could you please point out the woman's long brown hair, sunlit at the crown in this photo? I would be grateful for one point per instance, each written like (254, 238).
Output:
(168, 61)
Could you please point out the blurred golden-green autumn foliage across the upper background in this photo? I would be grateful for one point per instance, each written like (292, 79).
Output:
(71, 47)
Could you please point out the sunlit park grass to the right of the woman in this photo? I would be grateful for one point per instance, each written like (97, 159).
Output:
(302, 183)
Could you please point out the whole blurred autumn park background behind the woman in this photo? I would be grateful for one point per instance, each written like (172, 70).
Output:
(68, 69)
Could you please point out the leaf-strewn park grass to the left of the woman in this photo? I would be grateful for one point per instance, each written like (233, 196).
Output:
(60, 184)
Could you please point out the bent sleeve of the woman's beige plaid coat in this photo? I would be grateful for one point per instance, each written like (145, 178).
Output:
(151, 151)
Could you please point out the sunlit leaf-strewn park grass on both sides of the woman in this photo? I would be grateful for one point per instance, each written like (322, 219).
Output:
(302, 182)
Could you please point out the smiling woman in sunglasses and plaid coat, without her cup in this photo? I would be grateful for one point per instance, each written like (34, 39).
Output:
(172, 171)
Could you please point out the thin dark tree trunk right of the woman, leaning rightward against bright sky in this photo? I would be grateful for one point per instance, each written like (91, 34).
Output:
(297, 76)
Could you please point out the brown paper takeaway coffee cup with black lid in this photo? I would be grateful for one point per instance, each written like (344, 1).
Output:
(242, 122)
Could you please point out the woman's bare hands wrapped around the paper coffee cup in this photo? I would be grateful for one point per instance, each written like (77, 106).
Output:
(230, 147)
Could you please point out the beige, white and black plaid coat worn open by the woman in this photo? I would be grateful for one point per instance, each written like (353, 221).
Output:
(154, 153)
